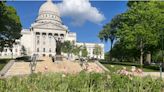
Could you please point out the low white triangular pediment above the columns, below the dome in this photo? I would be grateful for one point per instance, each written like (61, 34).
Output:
(49, 26)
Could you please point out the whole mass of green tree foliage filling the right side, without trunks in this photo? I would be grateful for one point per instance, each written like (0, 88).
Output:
(138, 30)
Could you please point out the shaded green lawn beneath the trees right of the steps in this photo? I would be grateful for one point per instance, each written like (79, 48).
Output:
(119, 65)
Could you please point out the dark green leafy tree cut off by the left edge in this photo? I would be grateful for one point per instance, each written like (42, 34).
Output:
(10, 27)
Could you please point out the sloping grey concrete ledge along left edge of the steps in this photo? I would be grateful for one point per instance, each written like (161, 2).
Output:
(6, 67)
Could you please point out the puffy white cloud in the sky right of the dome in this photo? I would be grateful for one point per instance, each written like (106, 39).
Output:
(80, 11)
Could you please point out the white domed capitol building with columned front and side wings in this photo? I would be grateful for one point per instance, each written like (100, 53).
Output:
(40, 37)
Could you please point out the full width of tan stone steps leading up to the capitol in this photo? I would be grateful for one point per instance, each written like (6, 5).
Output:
(46, 65)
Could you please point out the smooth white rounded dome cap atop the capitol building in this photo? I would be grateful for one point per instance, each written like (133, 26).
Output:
(49, 7)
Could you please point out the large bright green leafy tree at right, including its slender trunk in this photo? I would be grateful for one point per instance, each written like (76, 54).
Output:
(138, 28)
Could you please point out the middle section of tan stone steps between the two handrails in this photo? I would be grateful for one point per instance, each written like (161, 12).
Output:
(61, 66)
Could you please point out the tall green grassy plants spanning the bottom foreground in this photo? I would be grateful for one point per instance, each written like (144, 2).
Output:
(83, 82)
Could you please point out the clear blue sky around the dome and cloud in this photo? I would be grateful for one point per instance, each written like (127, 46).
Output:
(87, 31)
